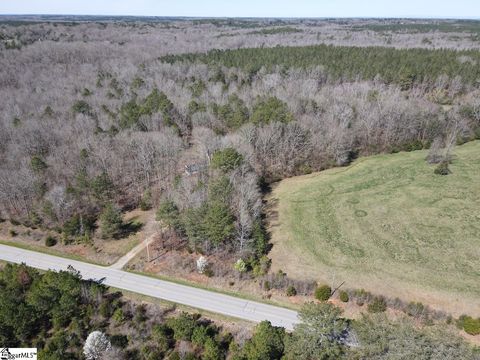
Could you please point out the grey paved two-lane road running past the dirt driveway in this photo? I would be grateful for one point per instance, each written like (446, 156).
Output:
(181, 294)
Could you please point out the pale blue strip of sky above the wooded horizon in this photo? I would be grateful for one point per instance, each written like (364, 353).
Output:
(250, 8)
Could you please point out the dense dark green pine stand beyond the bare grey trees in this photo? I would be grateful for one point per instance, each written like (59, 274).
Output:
(401, 66)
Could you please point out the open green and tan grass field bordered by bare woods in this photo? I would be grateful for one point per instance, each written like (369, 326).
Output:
(387, 224)
